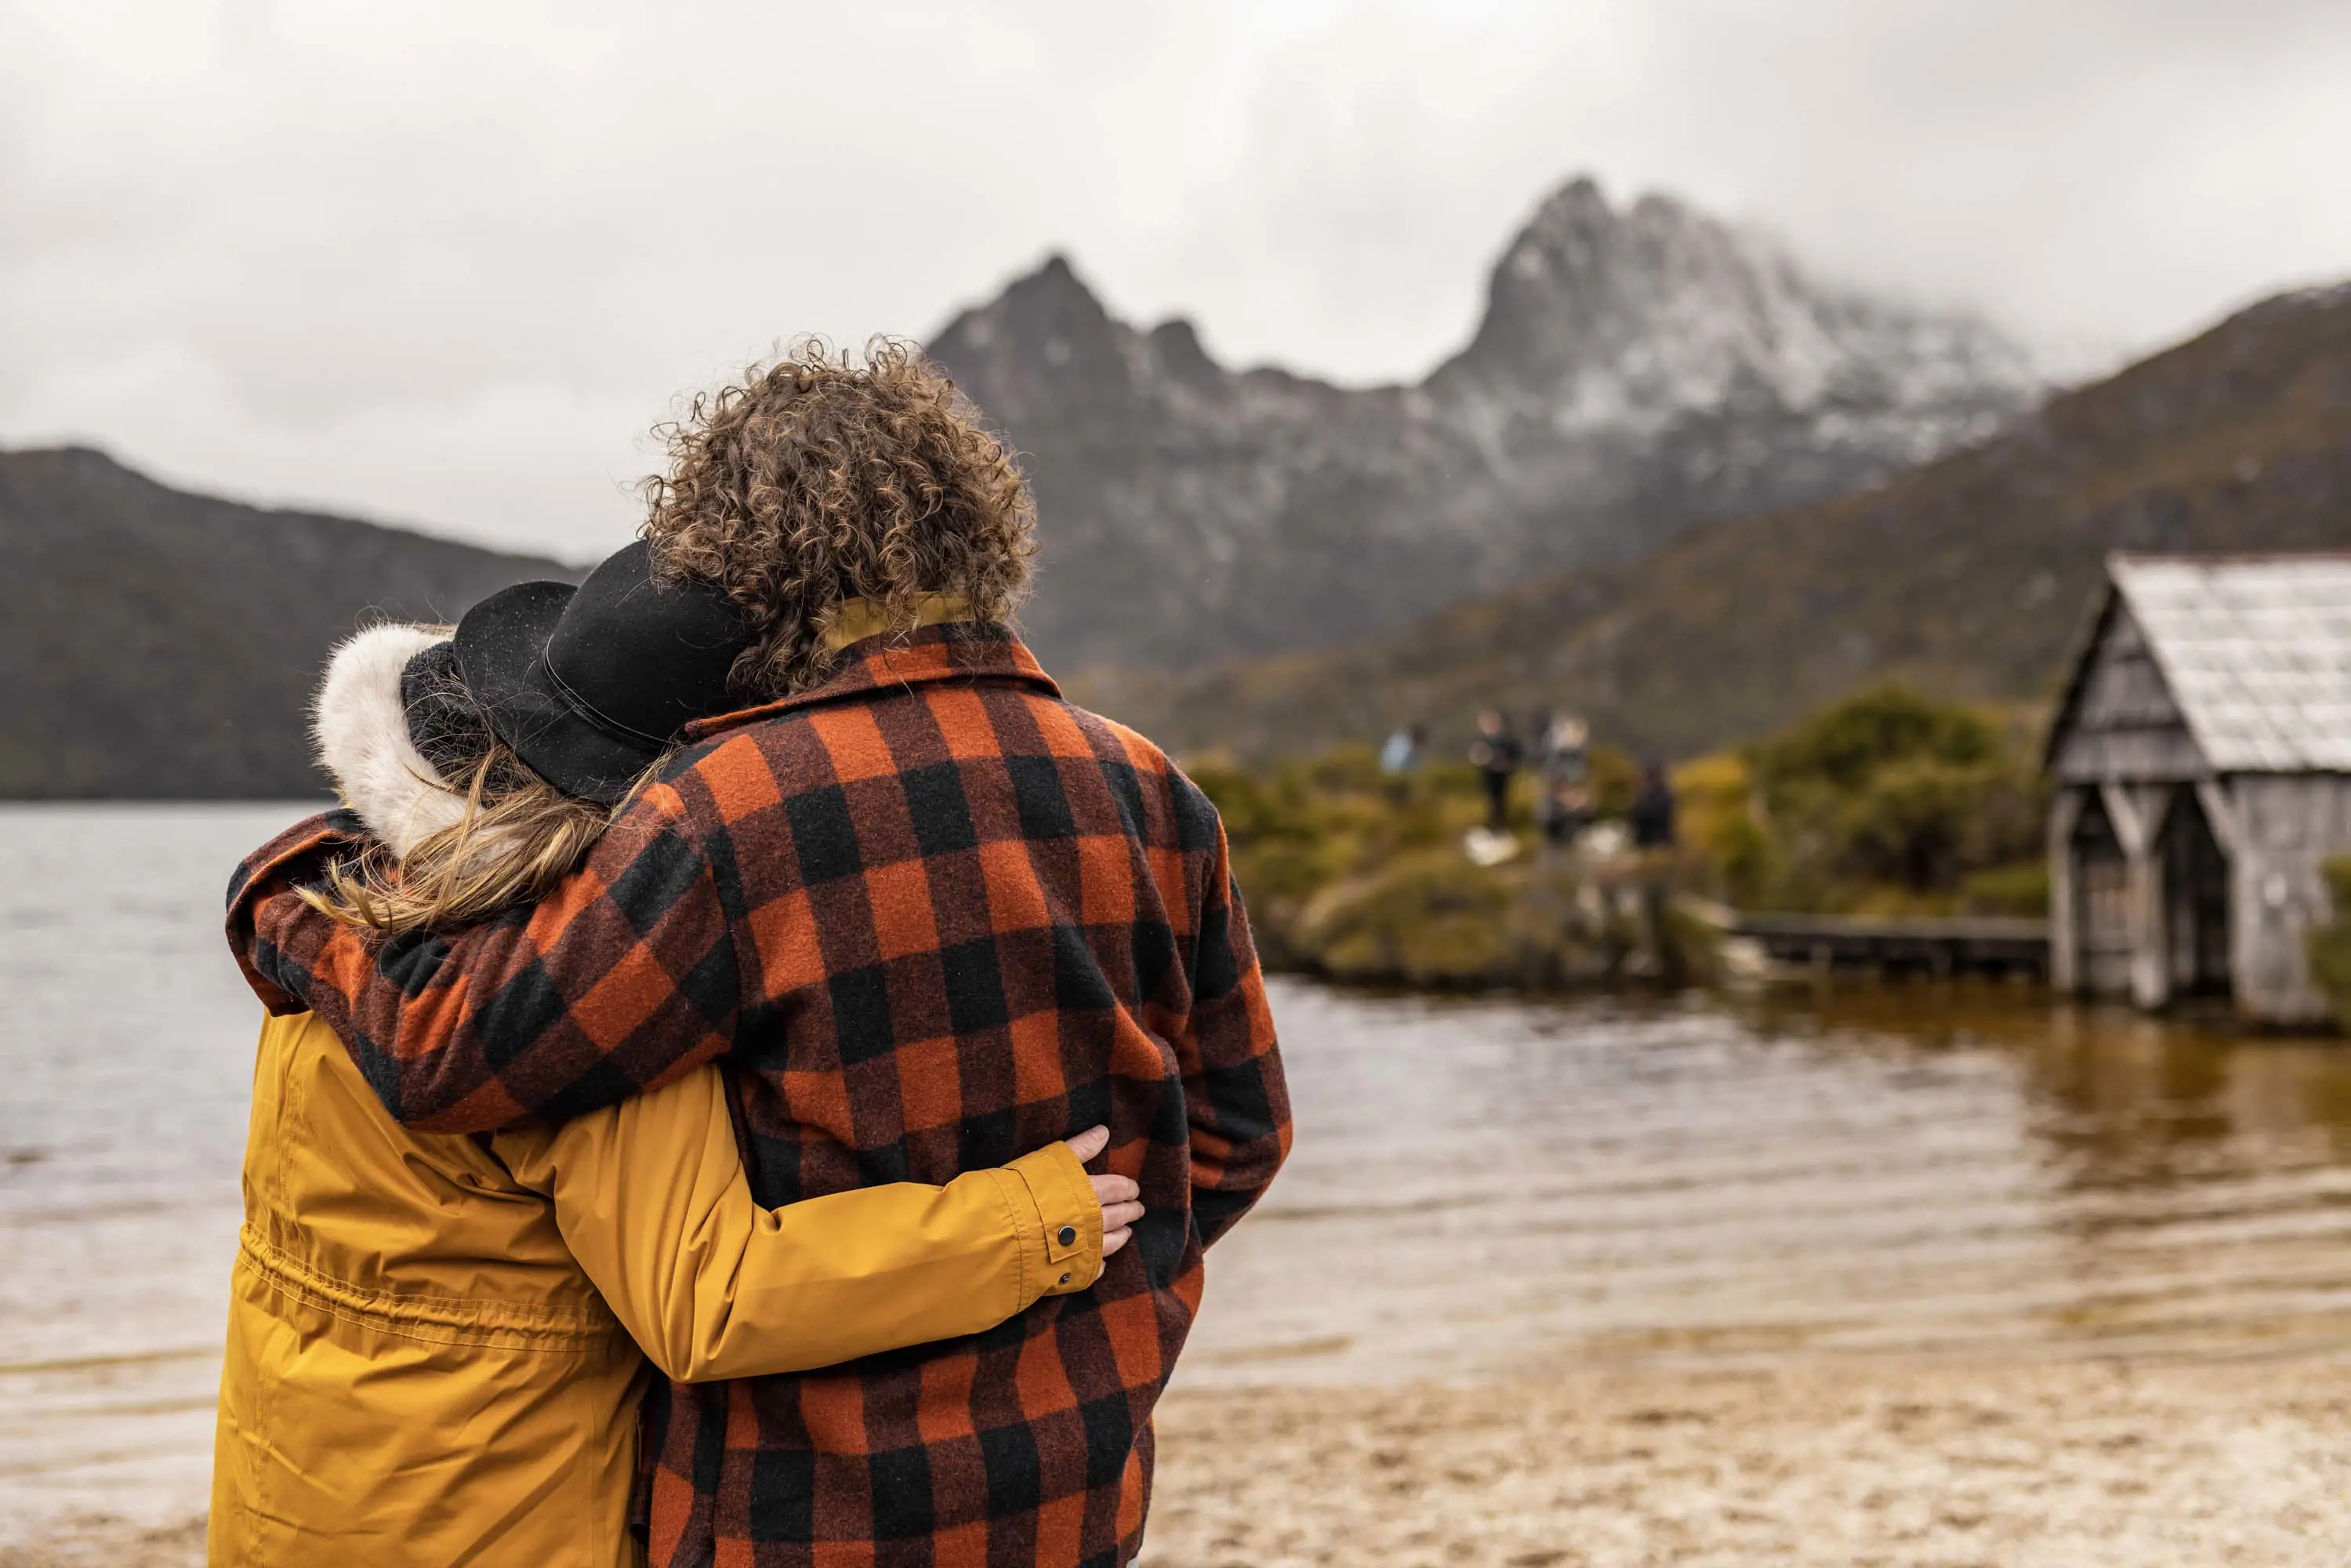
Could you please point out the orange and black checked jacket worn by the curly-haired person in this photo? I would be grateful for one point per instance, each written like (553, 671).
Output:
(935, 918)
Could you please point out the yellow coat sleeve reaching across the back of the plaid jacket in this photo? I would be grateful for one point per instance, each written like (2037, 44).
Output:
(657, 1209)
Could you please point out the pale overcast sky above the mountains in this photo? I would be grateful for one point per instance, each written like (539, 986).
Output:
(446, 262)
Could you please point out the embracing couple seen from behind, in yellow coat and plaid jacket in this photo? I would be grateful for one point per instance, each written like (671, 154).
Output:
(751, 1071)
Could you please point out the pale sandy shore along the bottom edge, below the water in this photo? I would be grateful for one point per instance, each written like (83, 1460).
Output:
(1837, 1463)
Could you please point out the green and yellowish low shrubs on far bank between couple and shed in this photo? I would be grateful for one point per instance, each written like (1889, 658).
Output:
(1887, 803)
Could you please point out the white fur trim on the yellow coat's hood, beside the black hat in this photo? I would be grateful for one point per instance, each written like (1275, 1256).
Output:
(361, 728)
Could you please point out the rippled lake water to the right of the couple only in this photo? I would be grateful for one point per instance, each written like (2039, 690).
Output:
(1924, 1172)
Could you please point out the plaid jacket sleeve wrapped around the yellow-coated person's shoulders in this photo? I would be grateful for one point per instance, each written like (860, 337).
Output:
(619, 979)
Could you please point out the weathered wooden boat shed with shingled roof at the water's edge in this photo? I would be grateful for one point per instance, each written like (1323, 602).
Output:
(2202, 765)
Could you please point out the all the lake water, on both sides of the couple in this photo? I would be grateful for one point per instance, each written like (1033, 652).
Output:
(1480, 1186)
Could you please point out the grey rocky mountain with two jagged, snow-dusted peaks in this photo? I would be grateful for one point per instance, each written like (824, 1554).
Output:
(1637, 370)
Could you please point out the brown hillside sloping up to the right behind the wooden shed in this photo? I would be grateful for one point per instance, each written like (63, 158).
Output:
(1964, 577)
